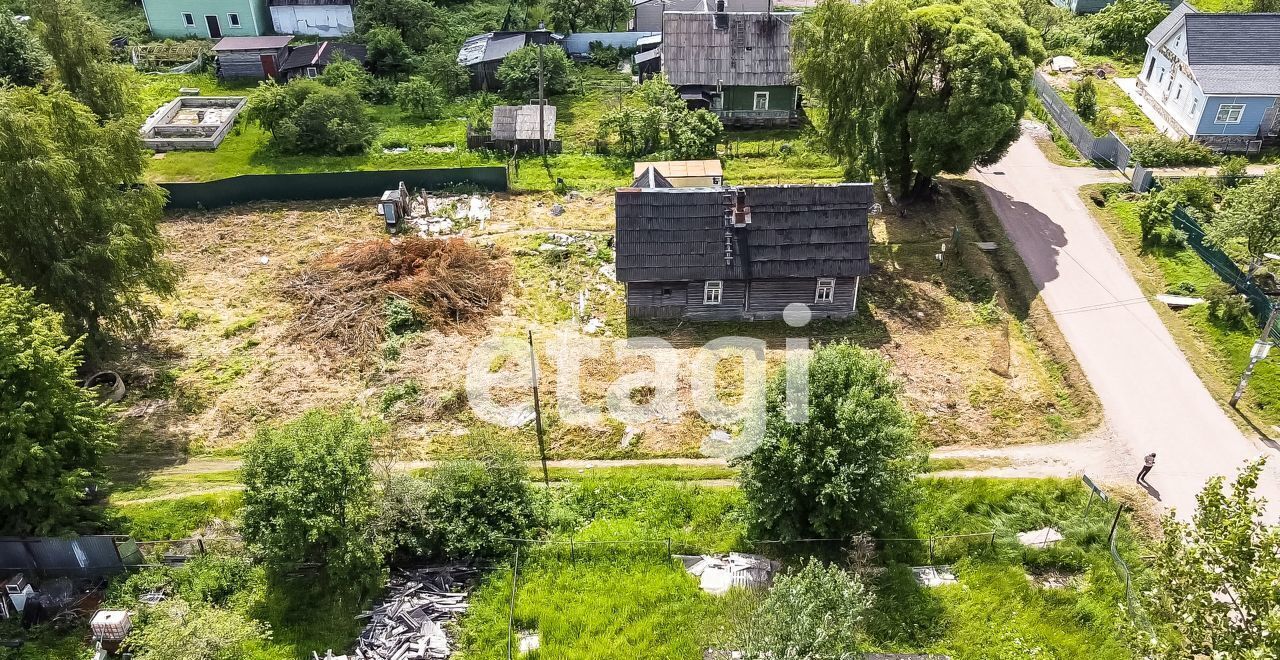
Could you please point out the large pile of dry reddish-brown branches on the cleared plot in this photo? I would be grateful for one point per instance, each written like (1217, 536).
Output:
(445, 282)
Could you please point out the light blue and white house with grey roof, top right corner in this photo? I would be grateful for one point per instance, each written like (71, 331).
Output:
(1215, 79)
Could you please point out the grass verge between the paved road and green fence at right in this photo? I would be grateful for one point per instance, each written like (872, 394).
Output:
(1218, 352)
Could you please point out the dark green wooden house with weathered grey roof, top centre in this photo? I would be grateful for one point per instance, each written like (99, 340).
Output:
(737, 65)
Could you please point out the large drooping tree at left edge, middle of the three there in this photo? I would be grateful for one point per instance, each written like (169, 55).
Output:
(79, 218)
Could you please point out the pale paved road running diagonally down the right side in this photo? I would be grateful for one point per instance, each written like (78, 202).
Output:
(1153, 401)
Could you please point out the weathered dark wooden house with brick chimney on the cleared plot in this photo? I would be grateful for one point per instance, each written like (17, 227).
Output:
(742, 254)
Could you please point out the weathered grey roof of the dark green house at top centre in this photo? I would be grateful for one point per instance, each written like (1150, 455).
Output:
(752, 49)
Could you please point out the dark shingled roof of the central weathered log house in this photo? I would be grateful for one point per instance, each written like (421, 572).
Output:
(678, 235)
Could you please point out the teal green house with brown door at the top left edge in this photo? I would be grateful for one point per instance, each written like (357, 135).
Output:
(208, 19)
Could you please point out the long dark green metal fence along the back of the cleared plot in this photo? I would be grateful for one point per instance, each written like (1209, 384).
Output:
(327, 186)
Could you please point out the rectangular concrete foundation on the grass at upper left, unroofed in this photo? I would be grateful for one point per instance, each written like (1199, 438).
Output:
(193, 123)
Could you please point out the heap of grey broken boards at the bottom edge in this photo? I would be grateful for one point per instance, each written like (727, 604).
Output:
(410, 622)
